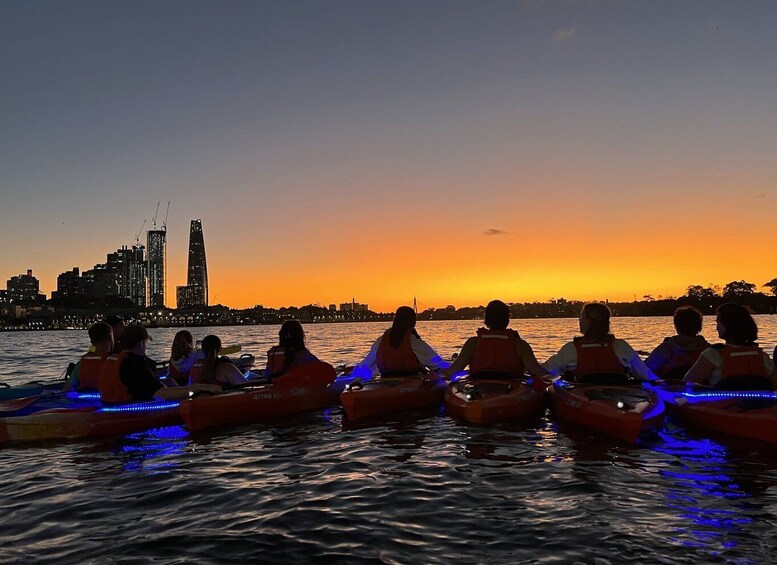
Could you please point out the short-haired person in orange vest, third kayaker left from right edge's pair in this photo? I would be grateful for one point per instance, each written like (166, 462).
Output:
(496, 351)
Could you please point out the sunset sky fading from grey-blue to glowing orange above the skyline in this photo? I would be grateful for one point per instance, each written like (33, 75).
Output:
(453, 151)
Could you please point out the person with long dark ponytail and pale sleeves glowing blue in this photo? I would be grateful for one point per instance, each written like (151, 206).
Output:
(400, 350)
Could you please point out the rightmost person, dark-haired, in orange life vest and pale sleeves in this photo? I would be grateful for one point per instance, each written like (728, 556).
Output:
(739, 362)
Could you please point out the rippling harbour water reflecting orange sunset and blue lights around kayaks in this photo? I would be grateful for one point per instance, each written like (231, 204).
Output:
(416, 488)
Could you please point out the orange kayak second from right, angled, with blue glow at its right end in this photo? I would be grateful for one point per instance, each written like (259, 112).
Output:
(623, 411)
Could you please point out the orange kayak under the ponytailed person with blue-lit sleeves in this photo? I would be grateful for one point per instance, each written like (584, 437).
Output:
(388, 395)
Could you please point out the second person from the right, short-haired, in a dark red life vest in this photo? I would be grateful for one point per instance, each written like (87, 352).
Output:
(673, 358)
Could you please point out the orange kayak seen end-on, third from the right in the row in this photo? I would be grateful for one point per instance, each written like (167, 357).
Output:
(486, 401)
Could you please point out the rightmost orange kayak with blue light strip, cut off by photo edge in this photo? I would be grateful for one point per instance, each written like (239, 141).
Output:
(747, 414)
